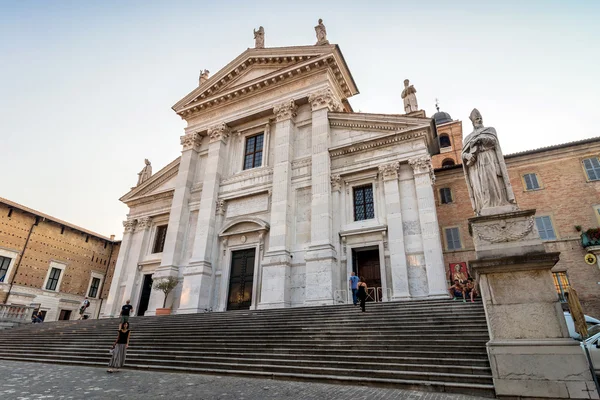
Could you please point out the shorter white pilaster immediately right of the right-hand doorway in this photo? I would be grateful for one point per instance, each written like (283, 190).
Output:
(395, 235)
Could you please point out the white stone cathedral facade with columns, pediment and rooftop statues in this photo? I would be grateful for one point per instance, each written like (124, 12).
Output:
(280, 192)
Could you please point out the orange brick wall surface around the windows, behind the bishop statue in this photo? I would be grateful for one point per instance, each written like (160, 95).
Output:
(565, 196)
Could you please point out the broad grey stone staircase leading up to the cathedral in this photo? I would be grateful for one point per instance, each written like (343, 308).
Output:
(436, 345)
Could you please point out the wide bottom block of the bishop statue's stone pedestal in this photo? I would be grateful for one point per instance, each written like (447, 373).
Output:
(540, 368)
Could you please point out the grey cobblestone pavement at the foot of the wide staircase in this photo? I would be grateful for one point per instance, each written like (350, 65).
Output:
(24, 381)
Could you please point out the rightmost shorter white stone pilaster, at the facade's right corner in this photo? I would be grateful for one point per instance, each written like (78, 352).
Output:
(430, 231)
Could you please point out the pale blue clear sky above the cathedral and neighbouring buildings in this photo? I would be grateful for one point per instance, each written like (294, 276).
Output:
(86, 87)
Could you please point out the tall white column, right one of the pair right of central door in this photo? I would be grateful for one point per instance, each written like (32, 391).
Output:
(321, 256)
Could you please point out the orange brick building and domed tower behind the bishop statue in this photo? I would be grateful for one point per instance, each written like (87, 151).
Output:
(562, 183)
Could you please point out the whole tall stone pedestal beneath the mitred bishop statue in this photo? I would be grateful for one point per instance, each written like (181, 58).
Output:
(531, 354)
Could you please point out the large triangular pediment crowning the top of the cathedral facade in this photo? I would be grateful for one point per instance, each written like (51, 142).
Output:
(256, 69)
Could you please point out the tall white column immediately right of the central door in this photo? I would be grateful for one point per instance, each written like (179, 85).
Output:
(276, 274)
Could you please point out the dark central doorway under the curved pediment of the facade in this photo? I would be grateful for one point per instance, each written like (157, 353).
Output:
(241, 279)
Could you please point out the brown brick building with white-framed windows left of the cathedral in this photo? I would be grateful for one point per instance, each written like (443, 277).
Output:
(52, 263)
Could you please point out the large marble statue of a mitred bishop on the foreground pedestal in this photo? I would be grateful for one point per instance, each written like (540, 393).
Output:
(485, 170)
